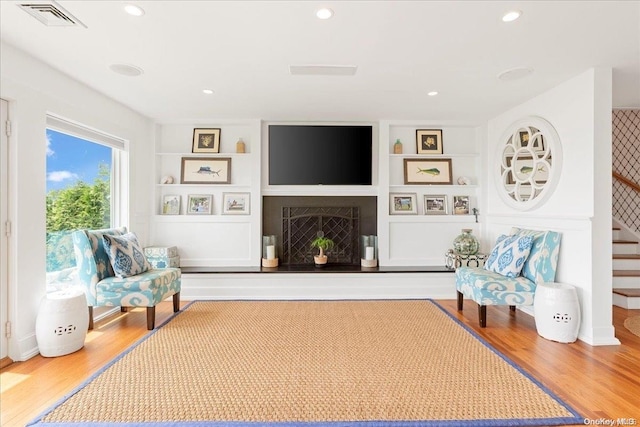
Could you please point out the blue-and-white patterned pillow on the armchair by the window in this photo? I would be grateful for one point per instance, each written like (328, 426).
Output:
(126, 255)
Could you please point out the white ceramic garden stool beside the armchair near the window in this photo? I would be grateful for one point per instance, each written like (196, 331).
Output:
(62, 322)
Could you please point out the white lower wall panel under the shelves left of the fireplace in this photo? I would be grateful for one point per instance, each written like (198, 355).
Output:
(213, 244)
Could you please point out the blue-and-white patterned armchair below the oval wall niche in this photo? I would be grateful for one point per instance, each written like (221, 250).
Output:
(490, 288)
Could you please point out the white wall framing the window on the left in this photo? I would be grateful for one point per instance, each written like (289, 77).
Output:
(34, 89)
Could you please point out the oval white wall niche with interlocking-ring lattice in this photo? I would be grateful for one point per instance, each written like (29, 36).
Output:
(528, 163)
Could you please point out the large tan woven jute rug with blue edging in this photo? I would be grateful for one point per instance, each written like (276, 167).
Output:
(371, 363)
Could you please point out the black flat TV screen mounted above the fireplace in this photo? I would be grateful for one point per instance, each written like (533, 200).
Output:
(320, 155)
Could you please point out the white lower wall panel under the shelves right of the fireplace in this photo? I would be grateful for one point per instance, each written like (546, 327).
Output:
(423, 243)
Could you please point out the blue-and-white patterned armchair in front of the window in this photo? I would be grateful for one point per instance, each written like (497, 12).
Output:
(102, 285)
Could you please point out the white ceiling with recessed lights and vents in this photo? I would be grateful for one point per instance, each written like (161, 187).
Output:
(402, 49)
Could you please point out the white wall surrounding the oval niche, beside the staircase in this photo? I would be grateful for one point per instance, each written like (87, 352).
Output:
(580, 207)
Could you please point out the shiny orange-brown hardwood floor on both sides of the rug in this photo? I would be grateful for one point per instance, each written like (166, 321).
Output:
(599, 382)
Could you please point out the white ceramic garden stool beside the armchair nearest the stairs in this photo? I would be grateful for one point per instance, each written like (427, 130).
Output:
(557, 312)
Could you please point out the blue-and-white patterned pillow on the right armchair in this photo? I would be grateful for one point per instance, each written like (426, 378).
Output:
(509, 254)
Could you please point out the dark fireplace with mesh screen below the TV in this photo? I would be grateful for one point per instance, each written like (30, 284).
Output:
(297, 220)
